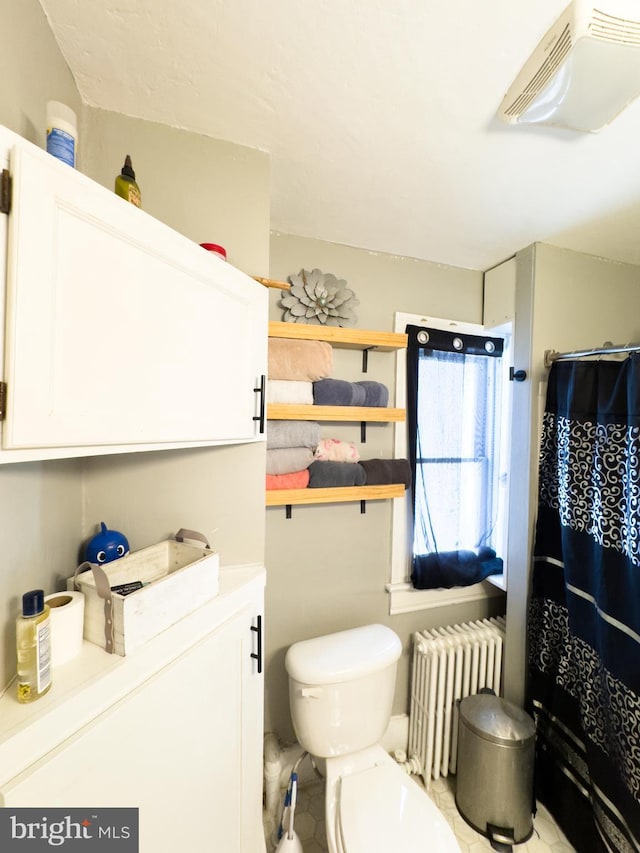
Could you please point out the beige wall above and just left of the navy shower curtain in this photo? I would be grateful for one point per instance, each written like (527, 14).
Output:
(564, 301)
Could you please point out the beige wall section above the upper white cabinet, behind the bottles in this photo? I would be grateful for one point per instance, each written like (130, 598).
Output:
(208, 190)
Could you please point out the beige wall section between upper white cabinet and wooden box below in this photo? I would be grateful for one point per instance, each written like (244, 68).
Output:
(149, 496)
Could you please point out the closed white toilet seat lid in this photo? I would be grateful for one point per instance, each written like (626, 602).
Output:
(383, 809)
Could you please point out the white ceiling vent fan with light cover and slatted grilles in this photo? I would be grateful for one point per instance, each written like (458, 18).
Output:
(583, 72)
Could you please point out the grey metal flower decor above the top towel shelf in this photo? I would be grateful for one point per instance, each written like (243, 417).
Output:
(319, 298)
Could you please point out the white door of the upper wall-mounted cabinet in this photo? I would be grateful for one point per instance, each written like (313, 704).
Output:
(120, 331)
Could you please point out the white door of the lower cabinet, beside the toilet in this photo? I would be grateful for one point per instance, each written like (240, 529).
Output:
(185, 748)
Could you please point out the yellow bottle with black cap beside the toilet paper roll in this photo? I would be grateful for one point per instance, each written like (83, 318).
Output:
(33, 641)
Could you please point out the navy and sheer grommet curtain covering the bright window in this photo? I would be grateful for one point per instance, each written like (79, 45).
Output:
(453, 410)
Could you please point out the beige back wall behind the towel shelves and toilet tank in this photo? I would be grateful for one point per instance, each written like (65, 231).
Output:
(327, 566)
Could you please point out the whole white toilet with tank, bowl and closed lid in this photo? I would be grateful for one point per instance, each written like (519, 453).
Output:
(340, 693)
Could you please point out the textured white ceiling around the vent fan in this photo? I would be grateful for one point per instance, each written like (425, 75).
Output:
(379, 115)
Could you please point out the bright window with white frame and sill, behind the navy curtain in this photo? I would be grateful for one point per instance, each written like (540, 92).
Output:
(492, 440)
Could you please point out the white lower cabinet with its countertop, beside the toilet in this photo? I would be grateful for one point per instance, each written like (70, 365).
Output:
(175, 729)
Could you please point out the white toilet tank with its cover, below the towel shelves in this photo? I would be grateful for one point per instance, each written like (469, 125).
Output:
(341, 689)
